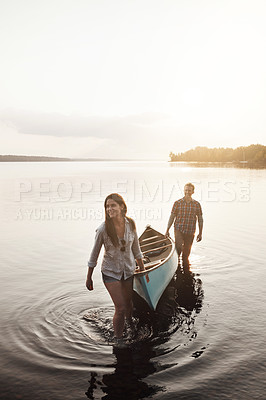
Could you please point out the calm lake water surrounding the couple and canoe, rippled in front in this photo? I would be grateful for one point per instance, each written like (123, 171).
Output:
(211, 345)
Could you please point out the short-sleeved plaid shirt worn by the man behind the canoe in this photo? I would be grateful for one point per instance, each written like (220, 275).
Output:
(186, 215)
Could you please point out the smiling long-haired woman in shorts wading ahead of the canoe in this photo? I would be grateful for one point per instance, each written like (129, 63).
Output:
(119, 237)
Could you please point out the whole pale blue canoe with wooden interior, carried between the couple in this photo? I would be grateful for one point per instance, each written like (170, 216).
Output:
(160, 260)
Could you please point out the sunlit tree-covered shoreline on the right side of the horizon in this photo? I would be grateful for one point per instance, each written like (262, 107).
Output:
(252, 153)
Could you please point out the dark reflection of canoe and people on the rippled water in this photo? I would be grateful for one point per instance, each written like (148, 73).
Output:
(176, 310)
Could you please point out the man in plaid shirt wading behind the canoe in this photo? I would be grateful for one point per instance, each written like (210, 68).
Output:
(185, 213)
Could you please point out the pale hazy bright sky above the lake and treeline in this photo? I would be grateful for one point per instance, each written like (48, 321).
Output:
(131, 79)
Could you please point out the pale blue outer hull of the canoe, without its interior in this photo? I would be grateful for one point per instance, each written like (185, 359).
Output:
(151, 284)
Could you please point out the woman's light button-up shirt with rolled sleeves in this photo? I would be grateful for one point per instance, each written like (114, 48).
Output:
(116, 263)
